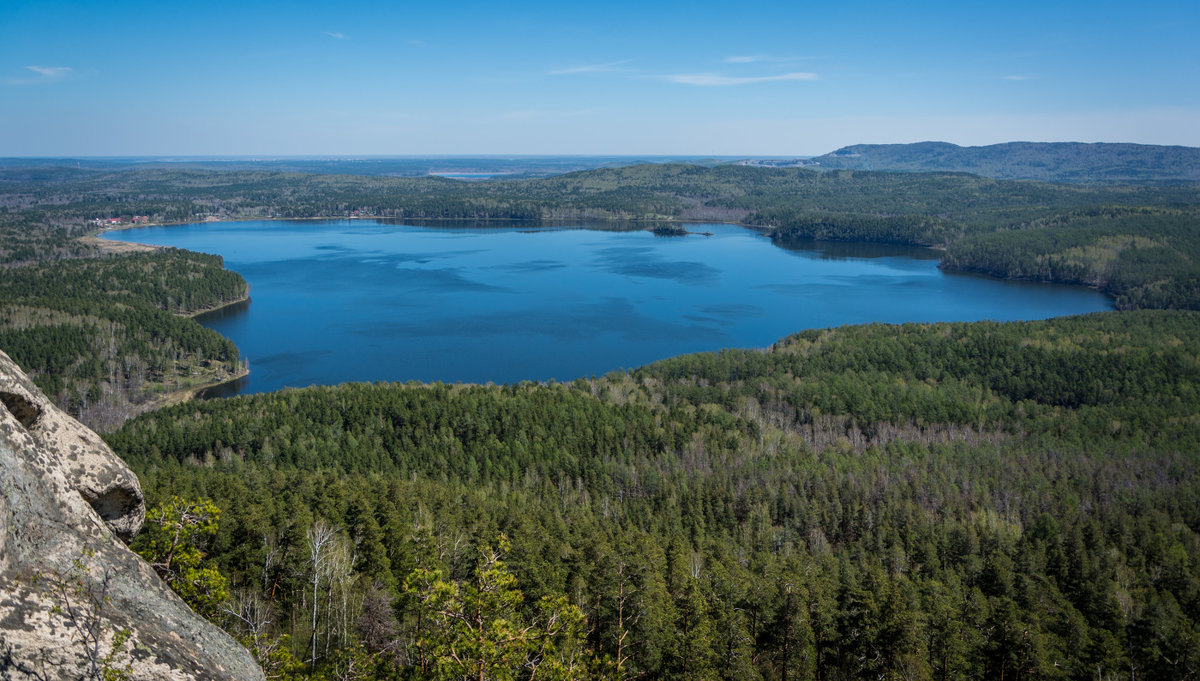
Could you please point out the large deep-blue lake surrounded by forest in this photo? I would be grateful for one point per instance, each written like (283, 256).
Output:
(337, 302)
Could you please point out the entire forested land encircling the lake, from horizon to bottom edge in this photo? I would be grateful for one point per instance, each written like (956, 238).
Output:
(917, 502)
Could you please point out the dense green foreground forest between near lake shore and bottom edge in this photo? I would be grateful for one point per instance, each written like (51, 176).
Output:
(920, 502)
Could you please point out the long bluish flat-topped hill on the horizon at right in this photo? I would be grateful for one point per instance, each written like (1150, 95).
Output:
(1057, 162)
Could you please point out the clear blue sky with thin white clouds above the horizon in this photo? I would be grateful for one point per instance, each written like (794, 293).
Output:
(796, 79)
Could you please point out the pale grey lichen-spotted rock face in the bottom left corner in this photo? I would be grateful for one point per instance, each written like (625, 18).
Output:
(74, 599)
